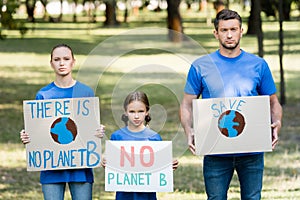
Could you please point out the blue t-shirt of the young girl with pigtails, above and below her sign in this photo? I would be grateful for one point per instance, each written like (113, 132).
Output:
(144, 135)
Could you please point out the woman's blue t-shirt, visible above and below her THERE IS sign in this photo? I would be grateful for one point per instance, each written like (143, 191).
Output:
(51, 91)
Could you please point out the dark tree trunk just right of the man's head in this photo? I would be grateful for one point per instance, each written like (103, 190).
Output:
(255, 25)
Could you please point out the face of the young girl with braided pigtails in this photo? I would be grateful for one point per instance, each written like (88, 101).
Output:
(136, 112)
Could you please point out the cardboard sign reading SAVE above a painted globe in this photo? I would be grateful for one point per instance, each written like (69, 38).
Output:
(232, 125)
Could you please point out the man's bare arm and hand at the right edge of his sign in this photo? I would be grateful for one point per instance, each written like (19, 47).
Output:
(276, 115)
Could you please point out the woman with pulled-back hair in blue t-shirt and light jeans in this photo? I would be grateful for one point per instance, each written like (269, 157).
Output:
(80, 181)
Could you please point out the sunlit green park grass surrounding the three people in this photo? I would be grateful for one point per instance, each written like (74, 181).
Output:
(24, 69)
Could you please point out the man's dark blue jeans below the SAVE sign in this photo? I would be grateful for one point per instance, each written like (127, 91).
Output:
(218, 172)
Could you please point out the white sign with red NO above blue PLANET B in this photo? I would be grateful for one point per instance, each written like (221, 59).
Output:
(139, 166)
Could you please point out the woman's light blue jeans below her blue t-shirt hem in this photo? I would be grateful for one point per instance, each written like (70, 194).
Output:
(56, 191)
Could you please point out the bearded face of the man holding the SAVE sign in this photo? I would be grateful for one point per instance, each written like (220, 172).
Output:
(229, 33)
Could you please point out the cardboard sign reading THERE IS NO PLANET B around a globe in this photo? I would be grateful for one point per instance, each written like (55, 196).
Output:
(62, 133)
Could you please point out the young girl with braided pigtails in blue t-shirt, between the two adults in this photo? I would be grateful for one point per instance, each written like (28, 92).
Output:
(136, 119)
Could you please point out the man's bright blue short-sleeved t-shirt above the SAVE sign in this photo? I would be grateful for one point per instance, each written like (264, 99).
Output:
(215, 76)
